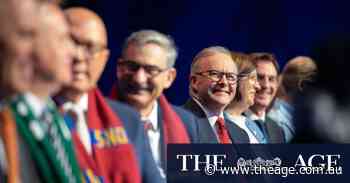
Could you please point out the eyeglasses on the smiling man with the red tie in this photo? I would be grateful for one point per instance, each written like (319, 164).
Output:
(216, 76)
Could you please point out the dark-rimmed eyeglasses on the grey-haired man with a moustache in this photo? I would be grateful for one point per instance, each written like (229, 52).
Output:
(132, 67)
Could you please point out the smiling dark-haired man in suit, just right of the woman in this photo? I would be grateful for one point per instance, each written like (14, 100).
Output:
(267, 69)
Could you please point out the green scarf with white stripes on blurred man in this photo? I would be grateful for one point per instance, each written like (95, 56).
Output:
(49, 142)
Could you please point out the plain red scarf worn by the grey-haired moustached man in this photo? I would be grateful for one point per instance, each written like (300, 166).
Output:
(174, 129)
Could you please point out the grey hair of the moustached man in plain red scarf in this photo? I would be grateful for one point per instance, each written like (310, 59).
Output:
(143, 37)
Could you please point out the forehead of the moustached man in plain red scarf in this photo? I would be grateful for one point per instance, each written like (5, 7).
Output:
(150, 54)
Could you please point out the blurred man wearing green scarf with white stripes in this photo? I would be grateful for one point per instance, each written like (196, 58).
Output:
(38, 143)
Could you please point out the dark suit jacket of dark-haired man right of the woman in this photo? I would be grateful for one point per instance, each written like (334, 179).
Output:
(275, 132)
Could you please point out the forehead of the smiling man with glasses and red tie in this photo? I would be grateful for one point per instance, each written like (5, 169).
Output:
(217, 61)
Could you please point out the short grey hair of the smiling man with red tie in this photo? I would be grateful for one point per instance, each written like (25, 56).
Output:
(206, 52)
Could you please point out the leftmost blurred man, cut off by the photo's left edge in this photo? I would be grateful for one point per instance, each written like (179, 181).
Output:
(16, 56)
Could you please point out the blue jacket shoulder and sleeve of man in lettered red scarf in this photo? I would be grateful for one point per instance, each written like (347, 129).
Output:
(135, 131)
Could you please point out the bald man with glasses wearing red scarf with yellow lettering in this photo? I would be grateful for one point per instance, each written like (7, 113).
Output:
(103, 131)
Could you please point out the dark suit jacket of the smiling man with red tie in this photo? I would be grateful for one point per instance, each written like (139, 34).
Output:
(205, 131)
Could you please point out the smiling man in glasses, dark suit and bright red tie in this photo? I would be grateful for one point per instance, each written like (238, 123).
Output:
(213, 83)
